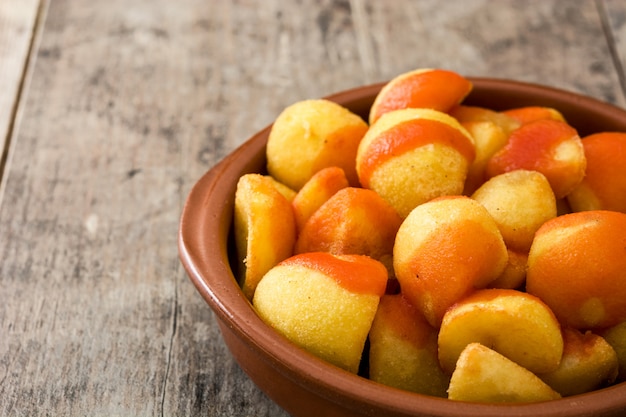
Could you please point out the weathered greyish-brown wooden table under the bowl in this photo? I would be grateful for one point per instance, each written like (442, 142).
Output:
(111, 110)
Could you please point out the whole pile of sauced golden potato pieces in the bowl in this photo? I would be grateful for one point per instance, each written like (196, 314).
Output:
(442, 248)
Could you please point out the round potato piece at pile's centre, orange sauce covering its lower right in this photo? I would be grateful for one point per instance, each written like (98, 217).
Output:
(444, 250)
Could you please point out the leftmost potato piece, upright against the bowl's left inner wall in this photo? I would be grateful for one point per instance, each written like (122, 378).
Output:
(265, 229)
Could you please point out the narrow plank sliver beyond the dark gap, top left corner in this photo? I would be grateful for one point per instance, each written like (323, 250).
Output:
(17, 26)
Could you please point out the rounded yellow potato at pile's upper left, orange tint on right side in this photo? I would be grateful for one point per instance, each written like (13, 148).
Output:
(310, 135)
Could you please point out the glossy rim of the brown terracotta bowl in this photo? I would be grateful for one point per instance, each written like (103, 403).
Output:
(218, 286)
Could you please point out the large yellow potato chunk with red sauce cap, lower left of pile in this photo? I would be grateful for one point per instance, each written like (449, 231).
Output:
(323, 303)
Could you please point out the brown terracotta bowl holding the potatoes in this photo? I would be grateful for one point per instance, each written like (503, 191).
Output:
(301, 383)
